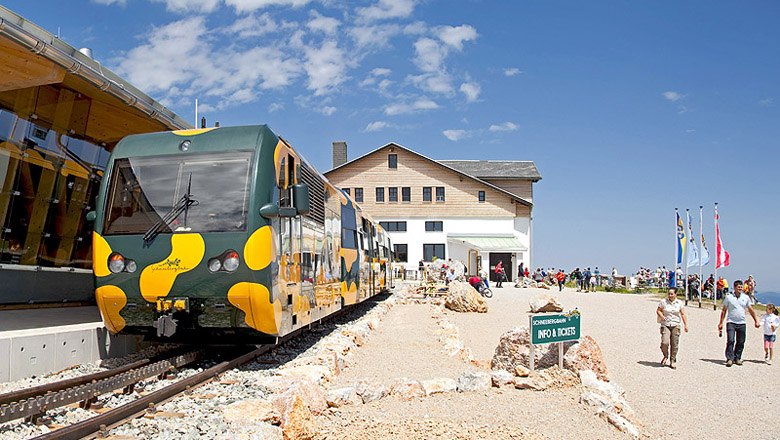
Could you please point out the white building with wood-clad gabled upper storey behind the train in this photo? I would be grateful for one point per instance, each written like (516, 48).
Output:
(476, 211)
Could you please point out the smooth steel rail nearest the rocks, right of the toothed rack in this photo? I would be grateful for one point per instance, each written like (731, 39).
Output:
(116, 415)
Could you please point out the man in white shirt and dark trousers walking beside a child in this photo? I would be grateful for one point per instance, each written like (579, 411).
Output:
(734, 305)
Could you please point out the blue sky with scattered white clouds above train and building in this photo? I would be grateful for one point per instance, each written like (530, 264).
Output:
(628, 109)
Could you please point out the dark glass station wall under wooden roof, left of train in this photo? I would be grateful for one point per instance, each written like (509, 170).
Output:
(50, 172)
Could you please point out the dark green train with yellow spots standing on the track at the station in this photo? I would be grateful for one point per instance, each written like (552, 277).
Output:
(225, 235)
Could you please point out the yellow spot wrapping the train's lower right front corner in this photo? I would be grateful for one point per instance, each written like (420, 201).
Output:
(255, 301)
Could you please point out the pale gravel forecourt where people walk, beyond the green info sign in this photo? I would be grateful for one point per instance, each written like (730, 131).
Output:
(698, 400)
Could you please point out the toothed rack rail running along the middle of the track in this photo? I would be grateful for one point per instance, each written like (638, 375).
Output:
(82, 393)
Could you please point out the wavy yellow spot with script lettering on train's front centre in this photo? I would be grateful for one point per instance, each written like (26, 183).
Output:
(157, 279)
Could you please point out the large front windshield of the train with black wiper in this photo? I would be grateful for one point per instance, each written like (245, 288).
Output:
(146, 194)
